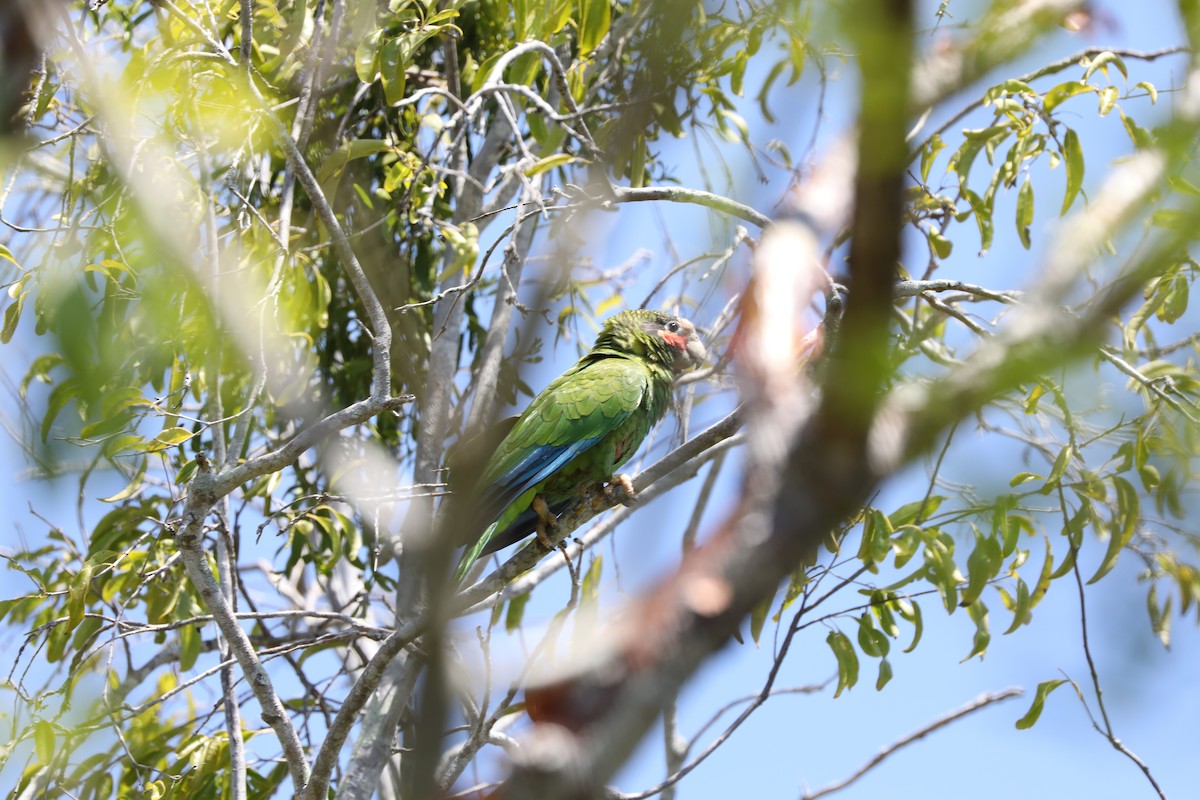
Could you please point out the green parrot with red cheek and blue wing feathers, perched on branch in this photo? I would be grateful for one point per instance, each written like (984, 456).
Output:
(583, 428)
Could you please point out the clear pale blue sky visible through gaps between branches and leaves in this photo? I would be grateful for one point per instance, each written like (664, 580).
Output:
(811, 741)
